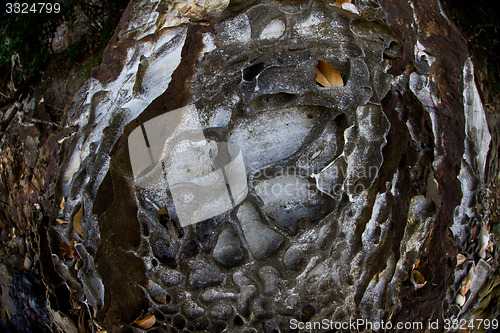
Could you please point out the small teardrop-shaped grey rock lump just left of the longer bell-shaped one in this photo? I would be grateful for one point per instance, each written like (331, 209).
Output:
(227, 251)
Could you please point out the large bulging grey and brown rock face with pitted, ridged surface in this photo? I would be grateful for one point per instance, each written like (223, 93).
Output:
(381, 175)
